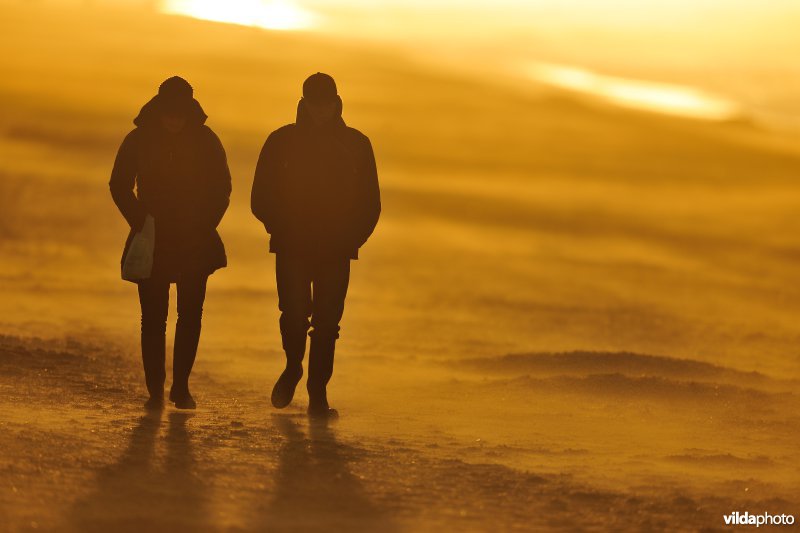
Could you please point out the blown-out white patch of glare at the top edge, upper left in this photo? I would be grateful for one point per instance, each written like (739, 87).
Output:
(272, 15)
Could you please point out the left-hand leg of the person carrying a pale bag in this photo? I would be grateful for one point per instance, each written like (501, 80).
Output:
(154, 301)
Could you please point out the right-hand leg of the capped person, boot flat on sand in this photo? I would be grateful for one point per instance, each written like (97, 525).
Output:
(331, 279)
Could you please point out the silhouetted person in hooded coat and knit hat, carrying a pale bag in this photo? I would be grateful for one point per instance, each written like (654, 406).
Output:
(180, 172)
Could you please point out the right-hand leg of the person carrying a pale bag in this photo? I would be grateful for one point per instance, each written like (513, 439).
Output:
(191, 295)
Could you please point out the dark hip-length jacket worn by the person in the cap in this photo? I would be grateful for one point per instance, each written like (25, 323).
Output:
(316, 188)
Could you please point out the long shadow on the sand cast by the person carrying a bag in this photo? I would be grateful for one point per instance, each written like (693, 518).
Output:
(138, 494)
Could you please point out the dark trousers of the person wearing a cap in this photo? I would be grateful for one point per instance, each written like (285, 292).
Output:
(311, 288)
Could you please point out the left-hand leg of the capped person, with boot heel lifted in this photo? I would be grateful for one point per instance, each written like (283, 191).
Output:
(294, 301)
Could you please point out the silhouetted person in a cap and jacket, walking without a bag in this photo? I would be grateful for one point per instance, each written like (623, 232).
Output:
(316, 191)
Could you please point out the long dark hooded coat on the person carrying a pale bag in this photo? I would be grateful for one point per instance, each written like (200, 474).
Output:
(183, 181)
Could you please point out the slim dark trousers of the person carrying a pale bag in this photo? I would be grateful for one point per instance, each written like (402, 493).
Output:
(154, 299)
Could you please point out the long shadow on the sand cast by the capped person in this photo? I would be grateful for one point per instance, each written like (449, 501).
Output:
(314, 487)
